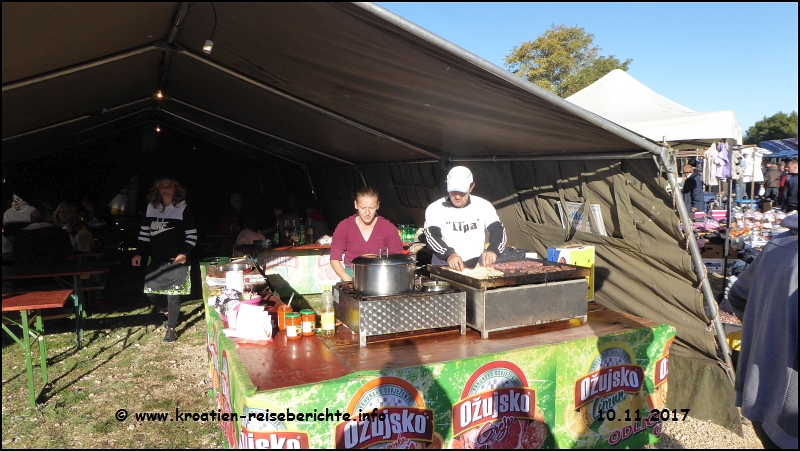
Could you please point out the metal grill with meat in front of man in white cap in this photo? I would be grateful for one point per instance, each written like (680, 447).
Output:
(516, 300)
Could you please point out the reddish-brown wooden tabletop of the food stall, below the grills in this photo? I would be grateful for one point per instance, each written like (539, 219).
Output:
(285, 363)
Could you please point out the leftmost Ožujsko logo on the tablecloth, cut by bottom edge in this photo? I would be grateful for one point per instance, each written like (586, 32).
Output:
(260, 430)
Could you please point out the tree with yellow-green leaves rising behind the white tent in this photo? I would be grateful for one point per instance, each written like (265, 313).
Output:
(562, 60)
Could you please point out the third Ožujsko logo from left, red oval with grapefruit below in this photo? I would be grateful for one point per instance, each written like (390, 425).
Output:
(498, 410)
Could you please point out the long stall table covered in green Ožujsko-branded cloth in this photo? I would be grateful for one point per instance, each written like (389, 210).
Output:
(430, 379)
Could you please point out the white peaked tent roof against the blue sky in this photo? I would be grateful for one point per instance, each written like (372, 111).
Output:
(622, 99)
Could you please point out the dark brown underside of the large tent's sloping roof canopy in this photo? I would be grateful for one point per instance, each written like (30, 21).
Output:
(299, 81)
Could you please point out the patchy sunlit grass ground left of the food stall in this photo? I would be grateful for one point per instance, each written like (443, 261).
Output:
(124, 365)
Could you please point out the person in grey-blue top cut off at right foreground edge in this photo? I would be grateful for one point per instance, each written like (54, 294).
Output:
(764, 298)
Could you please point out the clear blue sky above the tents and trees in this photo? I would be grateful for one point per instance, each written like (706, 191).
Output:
(705, 56)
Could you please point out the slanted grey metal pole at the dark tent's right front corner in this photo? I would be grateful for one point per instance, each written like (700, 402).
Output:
(669, 164)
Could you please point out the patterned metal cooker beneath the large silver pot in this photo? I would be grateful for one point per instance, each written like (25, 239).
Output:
(380, 315)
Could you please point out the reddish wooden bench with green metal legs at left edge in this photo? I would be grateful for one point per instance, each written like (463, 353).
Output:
(36, 301)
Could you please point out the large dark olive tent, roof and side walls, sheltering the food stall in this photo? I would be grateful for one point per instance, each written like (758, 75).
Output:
(333, 95)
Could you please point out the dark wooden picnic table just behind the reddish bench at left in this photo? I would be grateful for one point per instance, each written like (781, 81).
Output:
(78, 273)
